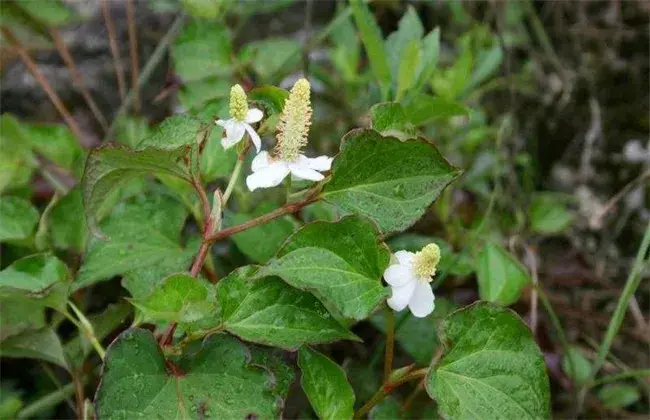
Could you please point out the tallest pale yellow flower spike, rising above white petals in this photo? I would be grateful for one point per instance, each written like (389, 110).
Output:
(293, 127)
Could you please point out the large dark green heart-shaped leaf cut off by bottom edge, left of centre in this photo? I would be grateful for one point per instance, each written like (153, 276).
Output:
(218, 381)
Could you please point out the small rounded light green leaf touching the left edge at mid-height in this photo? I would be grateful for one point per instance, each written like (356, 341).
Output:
(18, 219)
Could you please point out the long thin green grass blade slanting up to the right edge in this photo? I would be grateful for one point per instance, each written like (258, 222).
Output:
(631, 284)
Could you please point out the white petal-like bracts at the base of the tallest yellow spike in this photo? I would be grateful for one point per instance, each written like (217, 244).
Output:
(269, 172)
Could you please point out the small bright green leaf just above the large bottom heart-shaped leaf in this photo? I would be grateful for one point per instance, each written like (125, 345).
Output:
(178, 298)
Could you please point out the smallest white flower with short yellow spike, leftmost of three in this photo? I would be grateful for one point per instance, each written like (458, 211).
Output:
(241, 120)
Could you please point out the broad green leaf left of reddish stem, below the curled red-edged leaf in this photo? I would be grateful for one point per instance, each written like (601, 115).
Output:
(143, 233)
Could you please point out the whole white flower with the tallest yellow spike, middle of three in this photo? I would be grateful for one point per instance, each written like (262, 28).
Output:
(270, 169)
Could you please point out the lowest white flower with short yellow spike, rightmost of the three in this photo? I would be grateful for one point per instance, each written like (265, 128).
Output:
(409, 277)
